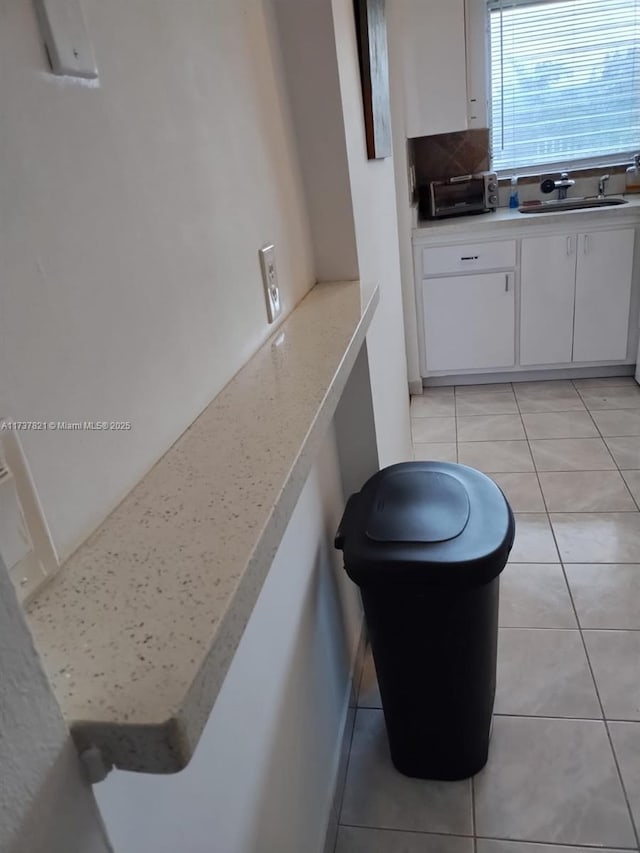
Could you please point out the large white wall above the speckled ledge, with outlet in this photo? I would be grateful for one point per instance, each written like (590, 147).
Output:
(130, 223)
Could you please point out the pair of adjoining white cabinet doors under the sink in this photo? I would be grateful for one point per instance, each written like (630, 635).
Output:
(575, 295)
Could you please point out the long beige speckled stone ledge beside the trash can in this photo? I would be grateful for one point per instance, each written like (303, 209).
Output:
(139, 627)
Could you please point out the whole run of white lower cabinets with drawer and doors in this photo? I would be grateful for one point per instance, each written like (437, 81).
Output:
(568, 293)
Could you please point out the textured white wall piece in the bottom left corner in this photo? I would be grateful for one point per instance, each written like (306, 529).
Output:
(45, 804)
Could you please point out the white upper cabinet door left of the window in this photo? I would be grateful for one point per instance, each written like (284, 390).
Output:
(432, 48)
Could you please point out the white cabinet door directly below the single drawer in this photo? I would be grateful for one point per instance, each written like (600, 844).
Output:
(469, 321)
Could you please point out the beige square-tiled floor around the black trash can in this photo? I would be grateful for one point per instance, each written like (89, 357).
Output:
(564, 766)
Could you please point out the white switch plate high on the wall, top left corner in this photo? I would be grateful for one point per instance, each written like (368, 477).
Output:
(66, 38)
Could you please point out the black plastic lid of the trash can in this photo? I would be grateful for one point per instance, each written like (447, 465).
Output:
(426, 522)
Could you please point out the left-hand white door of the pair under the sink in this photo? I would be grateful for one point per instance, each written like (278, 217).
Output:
(547, 285)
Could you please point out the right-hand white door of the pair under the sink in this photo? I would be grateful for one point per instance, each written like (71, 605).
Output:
(603, 292)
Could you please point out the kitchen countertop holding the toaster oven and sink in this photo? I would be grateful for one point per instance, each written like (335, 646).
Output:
(509, 220)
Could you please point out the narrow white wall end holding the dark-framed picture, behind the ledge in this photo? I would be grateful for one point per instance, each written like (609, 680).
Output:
(376, 223)
